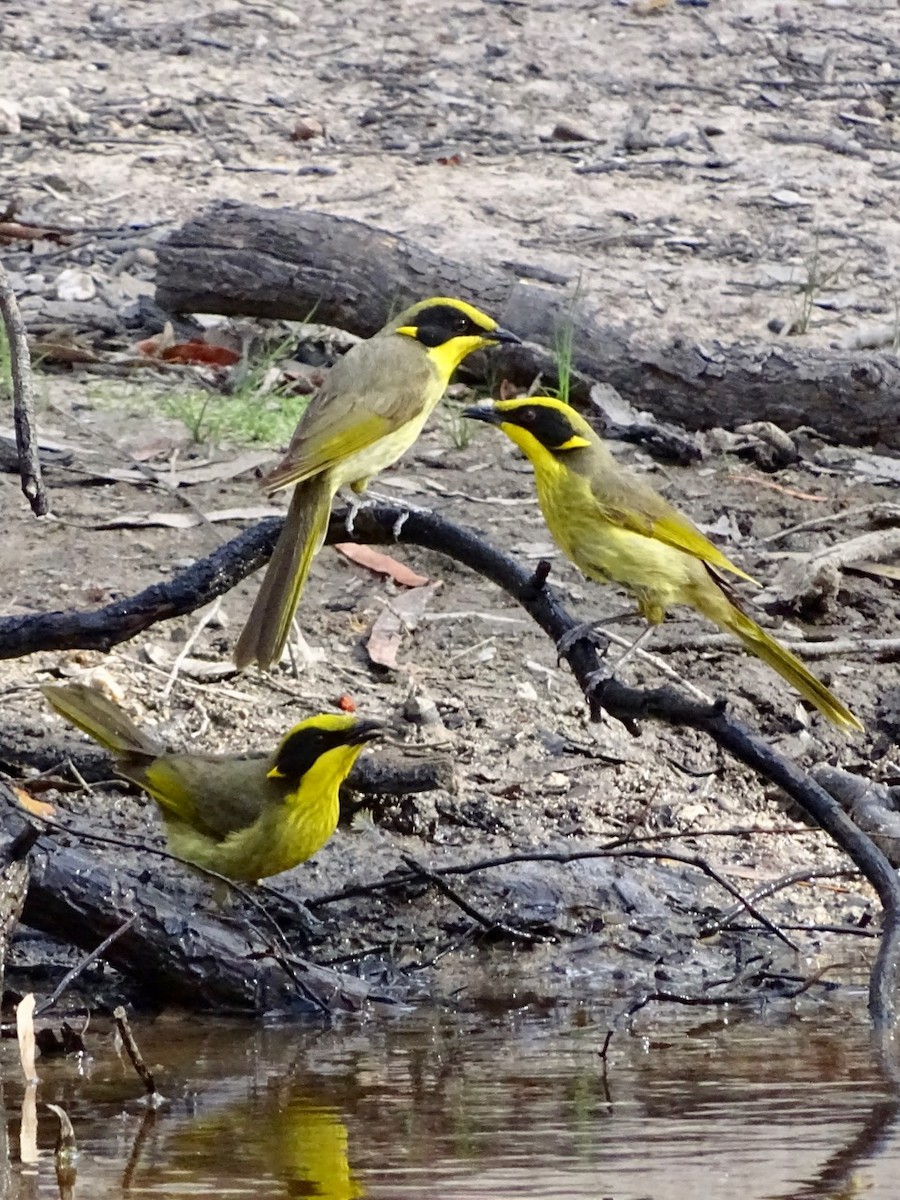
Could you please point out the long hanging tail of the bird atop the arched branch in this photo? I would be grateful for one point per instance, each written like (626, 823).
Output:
(267, 631)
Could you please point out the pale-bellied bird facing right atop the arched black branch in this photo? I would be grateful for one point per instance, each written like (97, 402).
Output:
(369, 412)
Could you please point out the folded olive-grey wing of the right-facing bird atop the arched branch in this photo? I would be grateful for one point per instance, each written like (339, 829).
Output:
(369, 394)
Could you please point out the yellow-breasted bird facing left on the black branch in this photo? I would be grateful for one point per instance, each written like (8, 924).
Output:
(616, 529)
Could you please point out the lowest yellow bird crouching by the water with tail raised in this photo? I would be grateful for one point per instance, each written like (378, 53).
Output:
(243, 817)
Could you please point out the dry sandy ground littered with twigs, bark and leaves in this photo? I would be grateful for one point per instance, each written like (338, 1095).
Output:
(742, 153)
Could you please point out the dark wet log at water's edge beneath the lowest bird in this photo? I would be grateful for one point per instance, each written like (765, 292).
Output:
(177, 953)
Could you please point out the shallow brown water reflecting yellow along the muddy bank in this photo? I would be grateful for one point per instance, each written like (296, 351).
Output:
(466, 1107)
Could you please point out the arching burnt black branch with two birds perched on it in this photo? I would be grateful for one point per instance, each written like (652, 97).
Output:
(385, 525)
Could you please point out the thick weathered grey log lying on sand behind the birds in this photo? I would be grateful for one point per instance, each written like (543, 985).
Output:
(243, 260)
